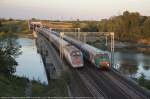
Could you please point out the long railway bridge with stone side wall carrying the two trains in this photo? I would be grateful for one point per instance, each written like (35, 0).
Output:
(88, 81)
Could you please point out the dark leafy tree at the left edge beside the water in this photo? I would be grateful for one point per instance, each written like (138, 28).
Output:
(8, 52)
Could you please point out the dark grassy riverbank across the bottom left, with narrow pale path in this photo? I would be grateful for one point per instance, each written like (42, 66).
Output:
(14, 86)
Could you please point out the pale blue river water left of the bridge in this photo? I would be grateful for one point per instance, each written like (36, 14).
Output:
(29, 63)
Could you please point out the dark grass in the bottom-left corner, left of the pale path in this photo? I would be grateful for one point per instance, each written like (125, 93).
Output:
(12, 86)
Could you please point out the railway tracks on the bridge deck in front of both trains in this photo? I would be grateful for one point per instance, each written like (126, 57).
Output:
(106, 84)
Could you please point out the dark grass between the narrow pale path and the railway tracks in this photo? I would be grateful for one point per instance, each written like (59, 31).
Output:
(56, 87)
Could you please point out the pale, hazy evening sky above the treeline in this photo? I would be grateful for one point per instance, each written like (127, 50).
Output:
(71, 9)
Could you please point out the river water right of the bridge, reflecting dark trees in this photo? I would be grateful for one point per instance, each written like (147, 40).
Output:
(133, 64)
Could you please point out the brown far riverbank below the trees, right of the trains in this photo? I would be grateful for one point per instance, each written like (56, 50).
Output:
(130, 47)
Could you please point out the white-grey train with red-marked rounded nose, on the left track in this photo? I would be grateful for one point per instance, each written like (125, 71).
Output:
(72, 54)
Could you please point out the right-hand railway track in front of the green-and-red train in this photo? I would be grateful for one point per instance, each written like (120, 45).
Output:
(123, 90)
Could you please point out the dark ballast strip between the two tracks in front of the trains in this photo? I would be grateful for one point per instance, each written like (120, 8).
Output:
(112, 91)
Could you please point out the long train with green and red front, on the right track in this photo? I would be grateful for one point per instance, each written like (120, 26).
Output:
(97, 57)
